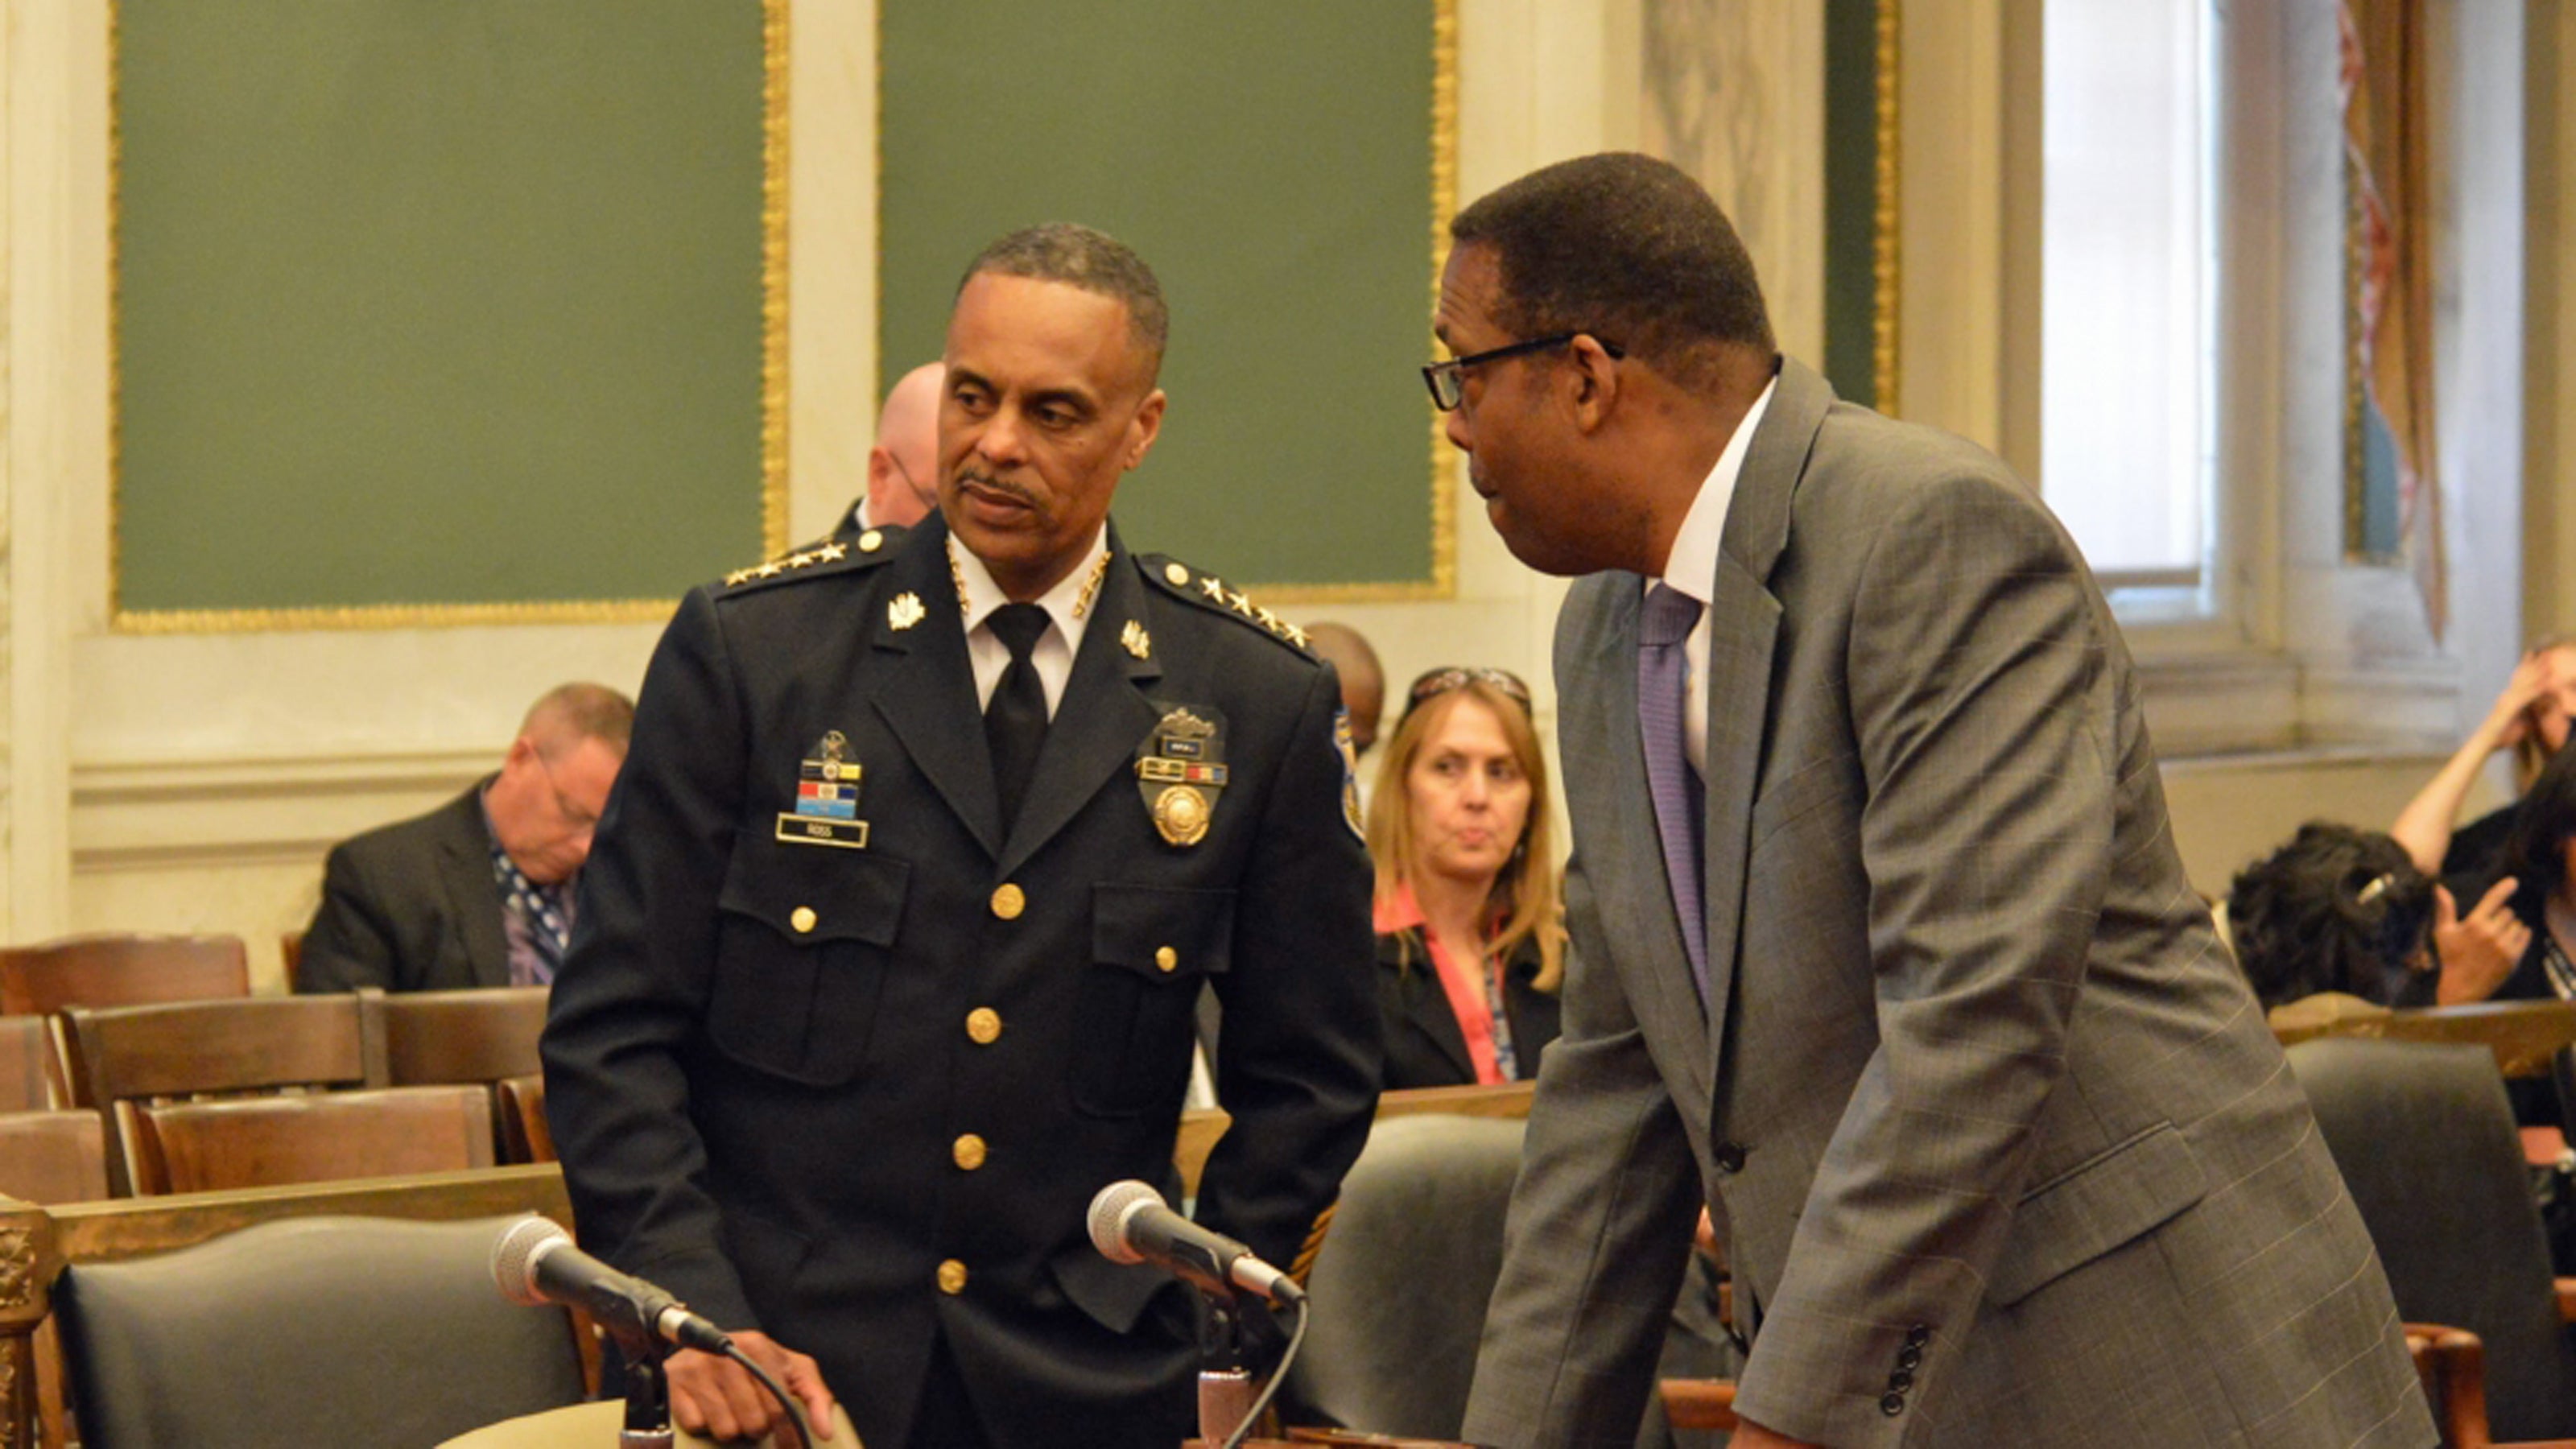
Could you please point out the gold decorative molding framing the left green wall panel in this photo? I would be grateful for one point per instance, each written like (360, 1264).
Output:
(774, 414)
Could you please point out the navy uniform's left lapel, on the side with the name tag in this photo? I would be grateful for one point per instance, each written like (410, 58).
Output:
(929, 692)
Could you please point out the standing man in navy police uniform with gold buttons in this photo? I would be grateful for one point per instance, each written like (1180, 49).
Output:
(898, 919)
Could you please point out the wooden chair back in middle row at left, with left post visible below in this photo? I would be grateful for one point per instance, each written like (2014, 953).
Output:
(130, 1056)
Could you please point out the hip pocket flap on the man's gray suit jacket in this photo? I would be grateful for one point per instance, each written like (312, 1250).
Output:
(2093, 1208)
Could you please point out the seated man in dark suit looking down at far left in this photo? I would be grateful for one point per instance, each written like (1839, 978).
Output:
(478, 891)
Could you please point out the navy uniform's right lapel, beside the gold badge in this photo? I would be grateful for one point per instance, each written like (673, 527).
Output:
(1099, 721)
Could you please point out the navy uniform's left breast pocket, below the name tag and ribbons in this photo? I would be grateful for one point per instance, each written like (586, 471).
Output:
(805, 942)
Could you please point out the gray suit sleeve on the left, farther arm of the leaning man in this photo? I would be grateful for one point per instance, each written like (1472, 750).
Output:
(1598, 1231)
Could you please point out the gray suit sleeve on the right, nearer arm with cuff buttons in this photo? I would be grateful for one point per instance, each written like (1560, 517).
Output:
(1982, 710)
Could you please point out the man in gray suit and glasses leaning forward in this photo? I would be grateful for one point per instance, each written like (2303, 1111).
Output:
(1882, 945)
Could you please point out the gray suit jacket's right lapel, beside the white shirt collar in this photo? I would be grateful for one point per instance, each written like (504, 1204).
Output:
(1743, 630)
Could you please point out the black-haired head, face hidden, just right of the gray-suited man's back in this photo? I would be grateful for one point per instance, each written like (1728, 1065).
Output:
(2338, 911)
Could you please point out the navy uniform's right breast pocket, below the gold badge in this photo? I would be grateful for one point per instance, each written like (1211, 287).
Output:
(1153, 948)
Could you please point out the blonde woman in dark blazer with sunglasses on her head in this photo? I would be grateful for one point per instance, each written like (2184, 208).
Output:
(1467, 911)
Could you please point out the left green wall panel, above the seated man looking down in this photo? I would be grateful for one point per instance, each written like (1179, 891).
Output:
(437, 300)
